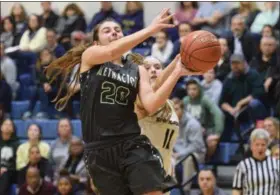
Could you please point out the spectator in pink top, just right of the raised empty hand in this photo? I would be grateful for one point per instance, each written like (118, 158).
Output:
(186, 12)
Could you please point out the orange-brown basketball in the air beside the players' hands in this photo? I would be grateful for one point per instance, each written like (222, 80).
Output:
(200, 51)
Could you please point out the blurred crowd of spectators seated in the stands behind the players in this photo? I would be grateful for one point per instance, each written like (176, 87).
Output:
(242, 92)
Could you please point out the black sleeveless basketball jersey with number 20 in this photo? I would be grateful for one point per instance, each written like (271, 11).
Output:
(108, 93)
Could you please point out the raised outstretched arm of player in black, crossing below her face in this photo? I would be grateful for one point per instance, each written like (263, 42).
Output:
(97, 54)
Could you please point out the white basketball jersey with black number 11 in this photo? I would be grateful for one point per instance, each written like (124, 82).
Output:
(162, 134)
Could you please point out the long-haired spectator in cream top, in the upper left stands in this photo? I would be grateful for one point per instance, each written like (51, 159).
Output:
(34, 38)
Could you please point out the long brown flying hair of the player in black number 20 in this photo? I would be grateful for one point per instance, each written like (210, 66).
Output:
(64, 66)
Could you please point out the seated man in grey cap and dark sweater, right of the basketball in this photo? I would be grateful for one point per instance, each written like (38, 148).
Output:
(242, 89)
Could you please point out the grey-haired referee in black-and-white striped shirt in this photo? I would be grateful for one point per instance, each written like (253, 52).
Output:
(258, 174)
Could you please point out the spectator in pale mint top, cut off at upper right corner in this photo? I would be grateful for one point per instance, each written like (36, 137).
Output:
(269, 16)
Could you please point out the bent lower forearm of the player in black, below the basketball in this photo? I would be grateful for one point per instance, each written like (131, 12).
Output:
(158, 98)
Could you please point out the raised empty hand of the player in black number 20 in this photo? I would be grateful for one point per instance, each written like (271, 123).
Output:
(161, 21)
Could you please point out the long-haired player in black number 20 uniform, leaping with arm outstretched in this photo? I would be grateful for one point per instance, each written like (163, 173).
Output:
(119, 159)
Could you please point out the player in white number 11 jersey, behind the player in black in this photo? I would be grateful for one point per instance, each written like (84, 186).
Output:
(161, 127)
